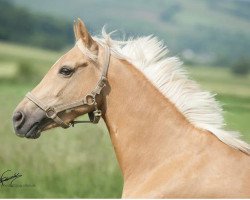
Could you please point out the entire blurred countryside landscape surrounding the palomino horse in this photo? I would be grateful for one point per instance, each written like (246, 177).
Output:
(211, 37)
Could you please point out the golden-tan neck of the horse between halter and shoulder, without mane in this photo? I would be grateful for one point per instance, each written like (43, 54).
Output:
(145, 128)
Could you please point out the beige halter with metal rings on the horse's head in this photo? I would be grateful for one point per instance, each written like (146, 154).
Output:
(89, 100)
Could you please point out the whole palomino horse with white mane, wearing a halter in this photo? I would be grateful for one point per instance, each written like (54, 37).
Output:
(167, 134)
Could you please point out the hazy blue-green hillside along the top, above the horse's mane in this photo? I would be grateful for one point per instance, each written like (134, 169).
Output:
(206, 31)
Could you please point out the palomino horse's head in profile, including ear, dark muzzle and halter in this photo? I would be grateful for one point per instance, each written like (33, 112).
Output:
(71, 88)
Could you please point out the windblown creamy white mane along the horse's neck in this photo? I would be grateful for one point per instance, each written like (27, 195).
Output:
(148, 55)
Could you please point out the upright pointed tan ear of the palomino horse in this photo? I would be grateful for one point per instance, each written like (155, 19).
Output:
(81, 32)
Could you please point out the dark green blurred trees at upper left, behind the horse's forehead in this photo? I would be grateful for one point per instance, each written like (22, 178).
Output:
(19, 25)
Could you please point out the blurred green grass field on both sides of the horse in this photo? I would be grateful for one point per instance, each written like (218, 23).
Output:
(80, 162)
